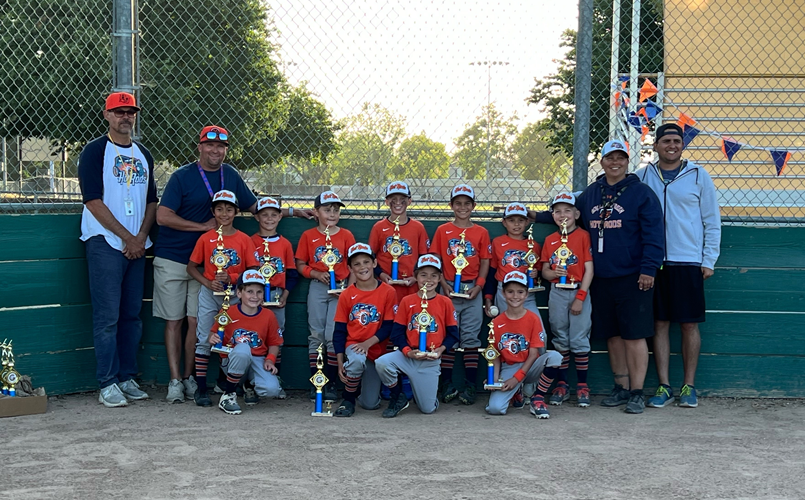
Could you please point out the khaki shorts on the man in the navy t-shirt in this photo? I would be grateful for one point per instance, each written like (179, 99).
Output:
(175, 291)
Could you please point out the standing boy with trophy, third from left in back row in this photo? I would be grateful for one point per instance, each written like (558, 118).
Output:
(321, 305)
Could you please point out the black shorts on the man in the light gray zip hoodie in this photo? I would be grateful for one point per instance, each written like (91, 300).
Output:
(679, 294)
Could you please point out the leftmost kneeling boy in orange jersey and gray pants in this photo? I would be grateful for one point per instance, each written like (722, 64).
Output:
(256, 338)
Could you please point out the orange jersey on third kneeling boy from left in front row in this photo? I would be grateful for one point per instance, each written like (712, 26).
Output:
(440, 307)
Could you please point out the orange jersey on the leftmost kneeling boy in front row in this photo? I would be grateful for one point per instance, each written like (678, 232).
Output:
(259, 331)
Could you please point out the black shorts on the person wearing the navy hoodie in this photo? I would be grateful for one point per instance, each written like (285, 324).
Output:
(621, 309)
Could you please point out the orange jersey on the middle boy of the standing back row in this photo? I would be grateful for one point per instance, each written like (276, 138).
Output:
(414, 240)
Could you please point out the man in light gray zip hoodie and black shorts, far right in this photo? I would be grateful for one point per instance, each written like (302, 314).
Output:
(692, 243)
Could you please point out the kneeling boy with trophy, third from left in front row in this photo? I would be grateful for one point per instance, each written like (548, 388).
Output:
(442, 334)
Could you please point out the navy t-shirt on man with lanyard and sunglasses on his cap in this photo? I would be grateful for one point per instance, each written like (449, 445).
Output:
(187, 195)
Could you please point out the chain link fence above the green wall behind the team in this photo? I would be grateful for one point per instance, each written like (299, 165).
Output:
(350, 95)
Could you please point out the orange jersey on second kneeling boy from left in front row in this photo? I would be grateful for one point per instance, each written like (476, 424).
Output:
(364, 313)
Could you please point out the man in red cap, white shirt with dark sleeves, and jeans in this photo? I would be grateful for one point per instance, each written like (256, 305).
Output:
(116, 175)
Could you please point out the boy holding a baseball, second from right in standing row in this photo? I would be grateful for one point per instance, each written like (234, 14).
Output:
(508, 254)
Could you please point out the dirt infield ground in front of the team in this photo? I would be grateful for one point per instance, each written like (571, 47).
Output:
(744, 449)
